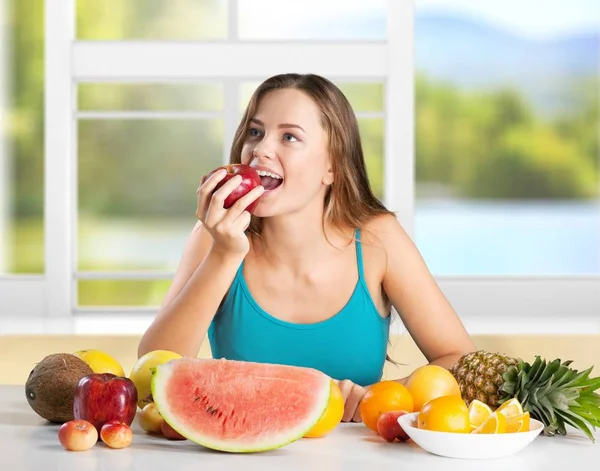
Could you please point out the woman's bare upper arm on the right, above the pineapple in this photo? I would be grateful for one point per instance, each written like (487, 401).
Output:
(413, 291)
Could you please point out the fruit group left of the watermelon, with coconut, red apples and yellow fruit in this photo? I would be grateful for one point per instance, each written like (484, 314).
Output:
(88, 393)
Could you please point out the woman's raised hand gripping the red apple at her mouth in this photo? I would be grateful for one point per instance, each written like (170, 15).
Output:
(226, 226)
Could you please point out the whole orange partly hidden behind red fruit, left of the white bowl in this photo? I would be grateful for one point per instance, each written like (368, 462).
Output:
(383, 397)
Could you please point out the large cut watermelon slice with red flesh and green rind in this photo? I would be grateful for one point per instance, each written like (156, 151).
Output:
(239, 406)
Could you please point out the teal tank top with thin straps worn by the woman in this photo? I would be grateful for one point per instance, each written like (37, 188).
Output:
(350, 345)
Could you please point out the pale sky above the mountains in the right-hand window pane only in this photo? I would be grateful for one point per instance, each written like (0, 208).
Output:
(536, 18)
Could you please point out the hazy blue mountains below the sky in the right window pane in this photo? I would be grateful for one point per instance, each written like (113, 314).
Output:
(472, 54)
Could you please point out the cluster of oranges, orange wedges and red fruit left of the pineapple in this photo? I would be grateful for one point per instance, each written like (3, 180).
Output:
(435, 394)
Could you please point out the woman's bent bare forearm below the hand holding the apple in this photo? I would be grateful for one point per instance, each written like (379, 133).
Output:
(200, 283)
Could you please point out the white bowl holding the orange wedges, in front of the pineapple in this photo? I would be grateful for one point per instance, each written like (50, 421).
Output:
(469, 445)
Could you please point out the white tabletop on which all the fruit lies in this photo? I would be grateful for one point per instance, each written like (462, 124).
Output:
(28, 442)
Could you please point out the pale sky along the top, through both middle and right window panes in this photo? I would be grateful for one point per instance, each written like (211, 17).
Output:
(539, 19)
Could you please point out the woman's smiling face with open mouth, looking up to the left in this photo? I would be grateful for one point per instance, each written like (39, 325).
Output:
(288, 146)
